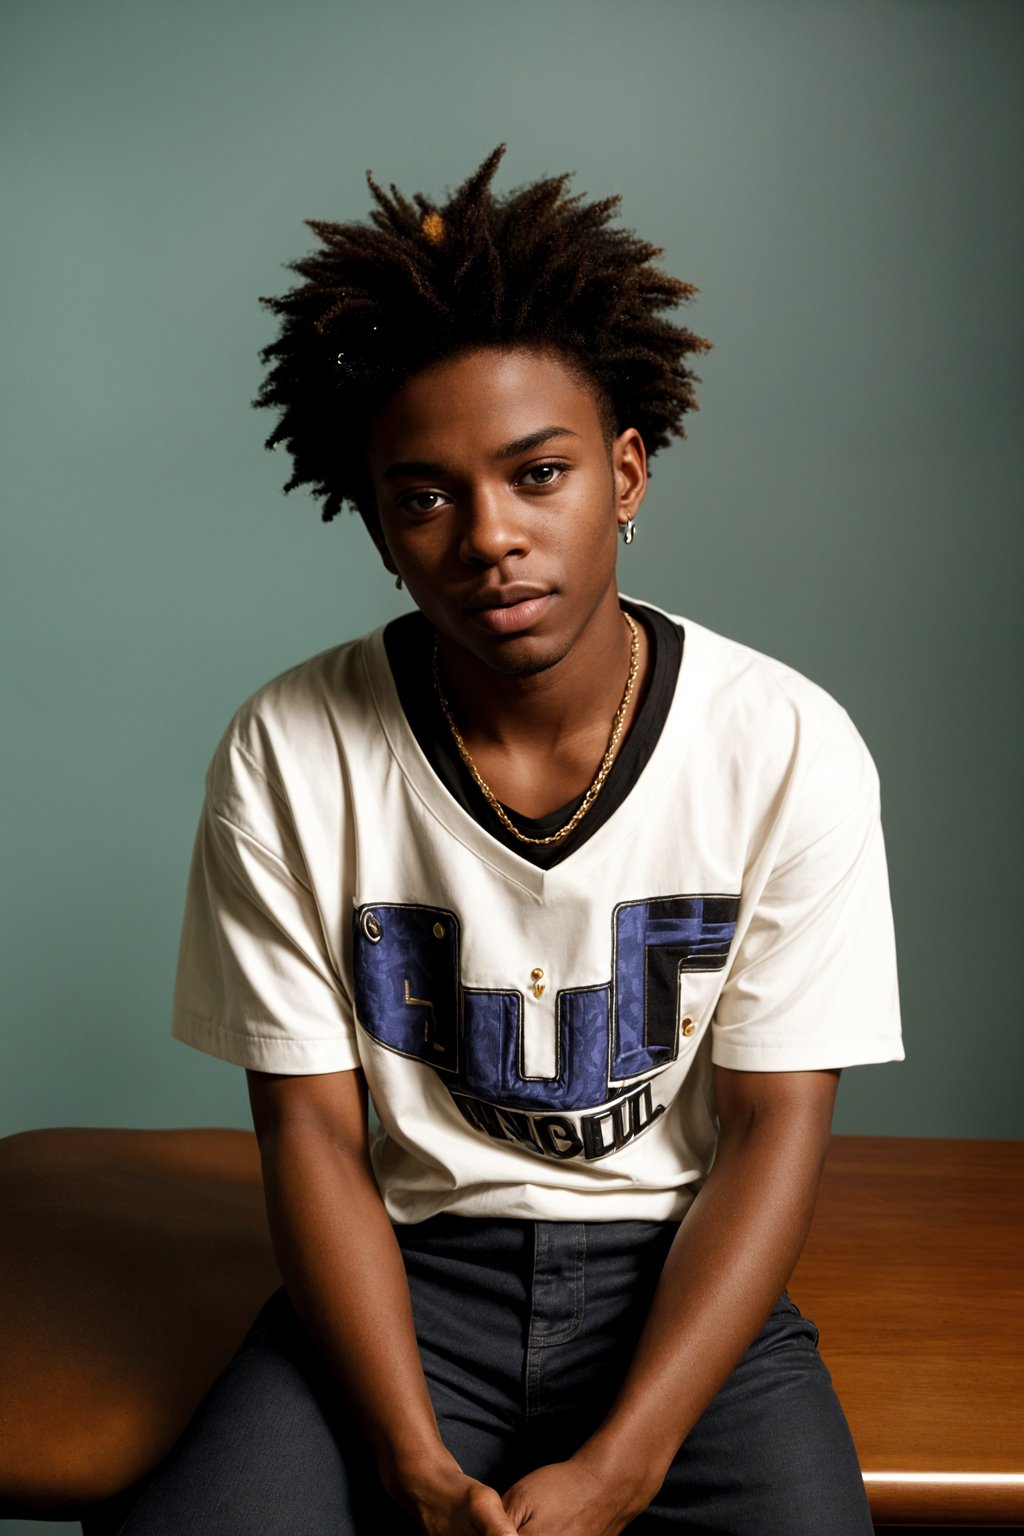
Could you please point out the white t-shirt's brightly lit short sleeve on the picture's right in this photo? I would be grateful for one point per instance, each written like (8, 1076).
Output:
(813, 984)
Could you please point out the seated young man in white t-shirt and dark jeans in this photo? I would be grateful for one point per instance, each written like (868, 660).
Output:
(589, 901)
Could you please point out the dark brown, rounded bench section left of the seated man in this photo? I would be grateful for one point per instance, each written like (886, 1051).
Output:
(131, 1265)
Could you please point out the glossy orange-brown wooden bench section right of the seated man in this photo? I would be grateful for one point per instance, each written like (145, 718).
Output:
(916, 1277)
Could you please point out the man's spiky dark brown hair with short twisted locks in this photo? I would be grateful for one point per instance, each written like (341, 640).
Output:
(540, 270)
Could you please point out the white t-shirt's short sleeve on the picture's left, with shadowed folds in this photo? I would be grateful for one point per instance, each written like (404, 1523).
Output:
(257, 984)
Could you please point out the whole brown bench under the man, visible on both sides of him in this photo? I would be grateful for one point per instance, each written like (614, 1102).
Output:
(134, 1262)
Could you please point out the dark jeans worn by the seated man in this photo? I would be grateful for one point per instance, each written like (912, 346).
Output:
(526, 1331)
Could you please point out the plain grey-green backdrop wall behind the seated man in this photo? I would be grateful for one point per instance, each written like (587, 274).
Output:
(839, 177)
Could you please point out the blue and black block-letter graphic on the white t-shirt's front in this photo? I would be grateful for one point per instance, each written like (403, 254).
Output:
(612, 1039)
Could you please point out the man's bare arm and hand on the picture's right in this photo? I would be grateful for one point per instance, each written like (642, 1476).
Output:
(732, 1259)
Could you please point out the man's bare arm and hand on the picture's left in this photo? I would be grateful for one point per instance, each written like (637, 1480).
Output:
(345, 1274)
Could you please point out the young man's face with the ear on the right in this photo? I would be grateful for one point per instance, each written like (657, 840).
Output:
(500, 498)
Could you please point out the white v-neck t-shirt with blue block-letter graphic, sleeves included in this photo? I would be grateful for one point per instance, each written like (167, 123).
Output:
(540, 1042)
